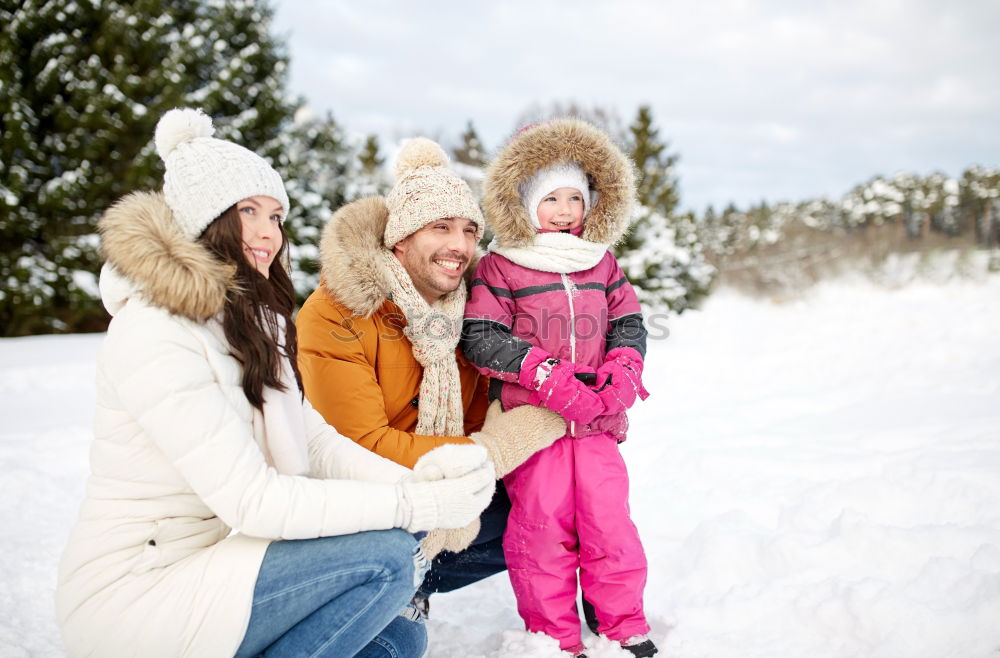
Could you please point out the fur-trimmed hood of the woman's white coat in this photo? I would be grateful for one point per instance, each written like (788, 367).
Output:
(148, 255)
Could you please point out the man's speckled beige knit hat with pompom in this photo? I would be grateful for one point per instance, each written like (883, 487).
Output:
(426, 190)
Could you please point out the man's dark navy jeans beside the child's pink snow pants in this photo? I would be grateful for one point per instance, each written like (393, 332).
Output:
(483, 558)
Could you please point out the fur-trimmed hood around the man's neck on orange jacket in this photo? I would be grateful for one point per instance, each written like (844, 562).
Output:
(350, 268)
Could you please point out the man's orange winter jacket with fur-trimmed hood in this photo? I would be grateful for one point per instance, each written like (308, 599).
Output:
(357, 367)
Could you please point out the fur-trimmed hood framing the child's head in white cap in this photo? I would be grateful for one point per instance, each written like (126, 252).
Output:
(611, 175)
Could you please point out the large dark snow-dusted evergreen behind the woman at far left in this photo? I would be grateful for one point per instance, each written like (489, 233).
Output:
(83, 87)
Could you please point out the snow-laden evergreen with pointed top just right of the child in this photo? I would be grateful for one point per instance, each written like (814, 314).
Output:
(662, 254)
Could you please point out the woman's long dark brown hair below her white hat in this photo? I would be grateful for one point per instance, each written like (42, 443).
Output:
(250, 317)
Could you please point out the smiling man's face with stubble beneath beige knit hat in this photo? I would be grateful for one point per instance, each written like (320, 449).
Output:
(437, 255)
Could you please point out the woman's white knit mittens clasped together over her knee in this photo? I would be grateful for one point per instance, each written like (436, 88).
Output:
(454, 500)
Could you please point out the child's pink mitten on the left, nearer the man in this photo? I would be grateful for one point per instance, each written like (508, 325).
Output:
(557, 388)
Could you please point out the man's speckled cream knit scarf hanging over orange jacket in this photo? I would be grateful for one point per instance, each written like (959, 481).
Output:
(433, 330)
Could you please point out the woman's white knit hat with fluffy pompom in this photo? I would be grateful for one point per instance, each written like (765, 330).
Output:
(207, 175)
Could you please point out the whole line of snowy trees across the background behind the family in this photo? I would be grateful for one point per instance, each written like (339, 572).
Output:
(82, 90)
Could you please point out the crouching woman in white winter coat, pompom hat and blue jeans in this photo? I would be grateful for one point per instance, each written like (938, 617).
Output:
(222, 515)
